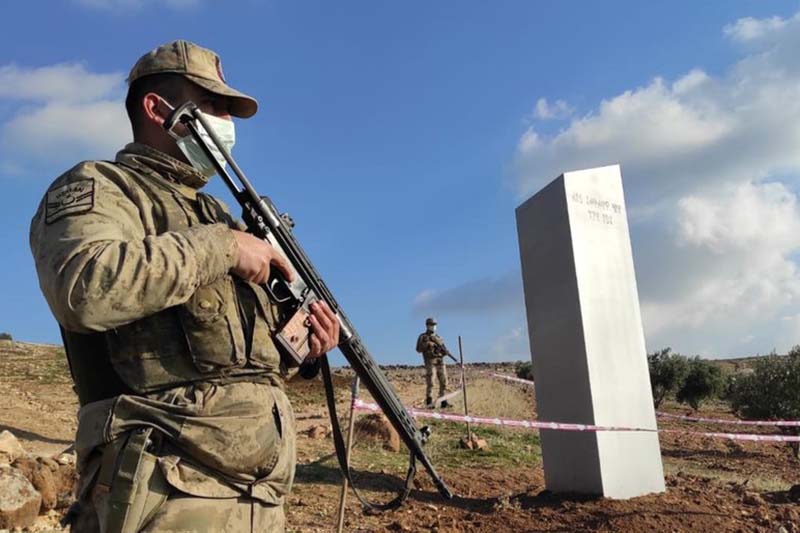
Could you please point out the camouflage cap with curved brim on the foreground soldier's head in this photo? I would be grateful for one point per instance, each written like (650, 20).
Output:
(198, 64)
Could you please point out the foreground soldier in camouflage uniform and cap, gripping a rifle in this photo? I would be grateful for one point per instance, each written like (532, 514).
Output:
(184, 424)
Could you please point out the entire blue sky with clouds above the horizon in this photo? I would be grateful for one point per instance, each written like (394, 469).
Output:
(401, 136)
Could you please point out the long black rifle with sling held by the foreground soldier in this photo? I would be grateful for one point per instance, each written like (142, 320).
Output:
(294, 298)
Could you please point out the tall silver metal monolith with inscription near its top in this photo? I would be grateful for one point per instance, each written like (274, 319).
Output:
(586, 337)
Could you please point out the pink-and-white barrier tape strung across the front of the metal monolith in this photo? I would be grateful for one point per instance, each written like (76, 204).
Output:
(536, 424)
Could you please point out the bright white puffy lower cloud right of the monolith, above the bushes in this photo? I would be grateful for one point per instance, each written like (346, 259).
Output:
(731, 260)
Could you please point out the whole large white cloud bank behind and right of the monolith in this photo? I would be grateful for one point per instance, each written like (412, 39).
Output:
(710, 164)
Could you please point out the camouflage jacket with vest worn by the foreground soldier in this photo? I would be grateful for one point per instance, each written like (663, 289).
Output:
(134, 263)
